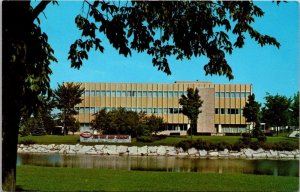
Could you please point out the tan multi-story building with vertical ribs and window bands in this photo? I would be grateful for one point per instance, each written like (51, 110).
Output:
(222, 109)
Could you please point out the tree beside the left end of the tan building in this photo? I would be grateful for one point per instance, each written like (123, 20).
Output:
(66, 97)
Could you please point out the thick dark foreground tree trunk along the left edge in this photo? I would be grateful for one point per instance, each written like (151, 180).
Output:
(16, 16)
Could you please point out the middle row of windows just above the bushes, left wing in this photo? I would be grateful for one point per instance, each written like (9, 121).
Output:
(147, 110)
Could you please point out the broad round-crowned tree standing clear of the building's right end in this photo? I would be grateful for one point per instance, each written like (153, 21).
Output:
(276, 111)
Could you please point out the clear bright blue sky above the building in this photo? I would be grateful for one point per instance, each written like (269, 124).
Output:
(267, 68)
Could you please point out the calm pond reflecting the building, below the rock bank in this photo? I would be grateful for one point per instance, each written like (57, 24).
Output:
(165, 163)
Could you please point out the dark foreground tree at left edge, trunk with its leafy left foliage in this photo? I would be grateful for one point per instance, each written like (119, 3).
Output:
(25, 75)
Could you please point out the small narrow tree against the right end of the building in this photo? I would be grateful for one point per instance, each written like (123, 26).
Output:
(251, 111)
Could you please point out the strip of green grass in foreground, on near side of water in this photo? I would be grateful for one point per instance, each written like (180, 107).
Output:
(34, 178)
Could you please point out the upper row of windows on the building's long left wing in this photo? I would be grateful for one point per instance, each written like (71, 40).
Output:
(112, 93)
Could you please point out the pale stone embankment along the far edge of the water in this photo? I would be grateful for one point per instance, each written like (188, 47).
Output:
(155, 151)
